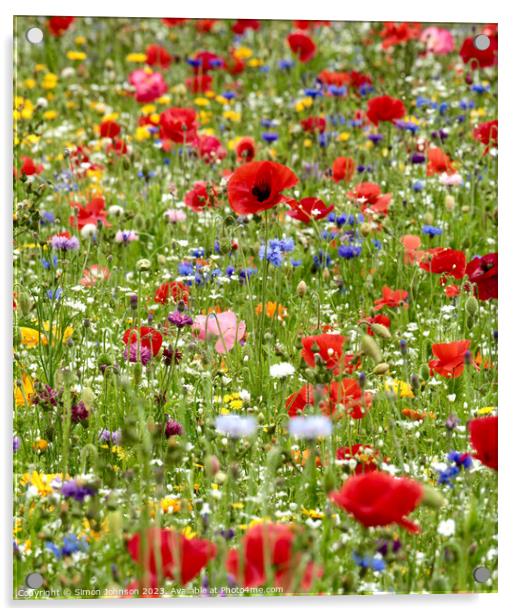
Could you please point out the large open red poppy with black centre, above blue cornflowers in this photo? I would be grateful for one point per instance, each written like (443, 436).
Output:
(257, 186)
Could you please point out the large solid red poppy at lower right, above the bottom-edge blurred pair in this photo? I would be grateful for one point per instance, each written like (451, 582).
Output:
(379, 499)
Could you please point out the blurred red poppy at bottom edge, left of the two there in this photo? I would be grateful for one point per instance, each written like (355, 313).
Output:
(179, 556)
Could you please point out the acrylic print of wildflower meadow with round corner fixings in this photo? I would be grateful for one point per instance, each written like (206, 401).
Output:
(255, 304)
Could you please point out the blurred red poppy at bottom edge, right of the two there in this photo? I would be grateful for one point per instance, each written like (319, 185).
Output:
(271, 546)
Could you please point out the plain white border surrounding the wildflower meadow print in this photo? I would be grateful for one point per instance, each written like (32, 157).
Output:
(501, 11)
